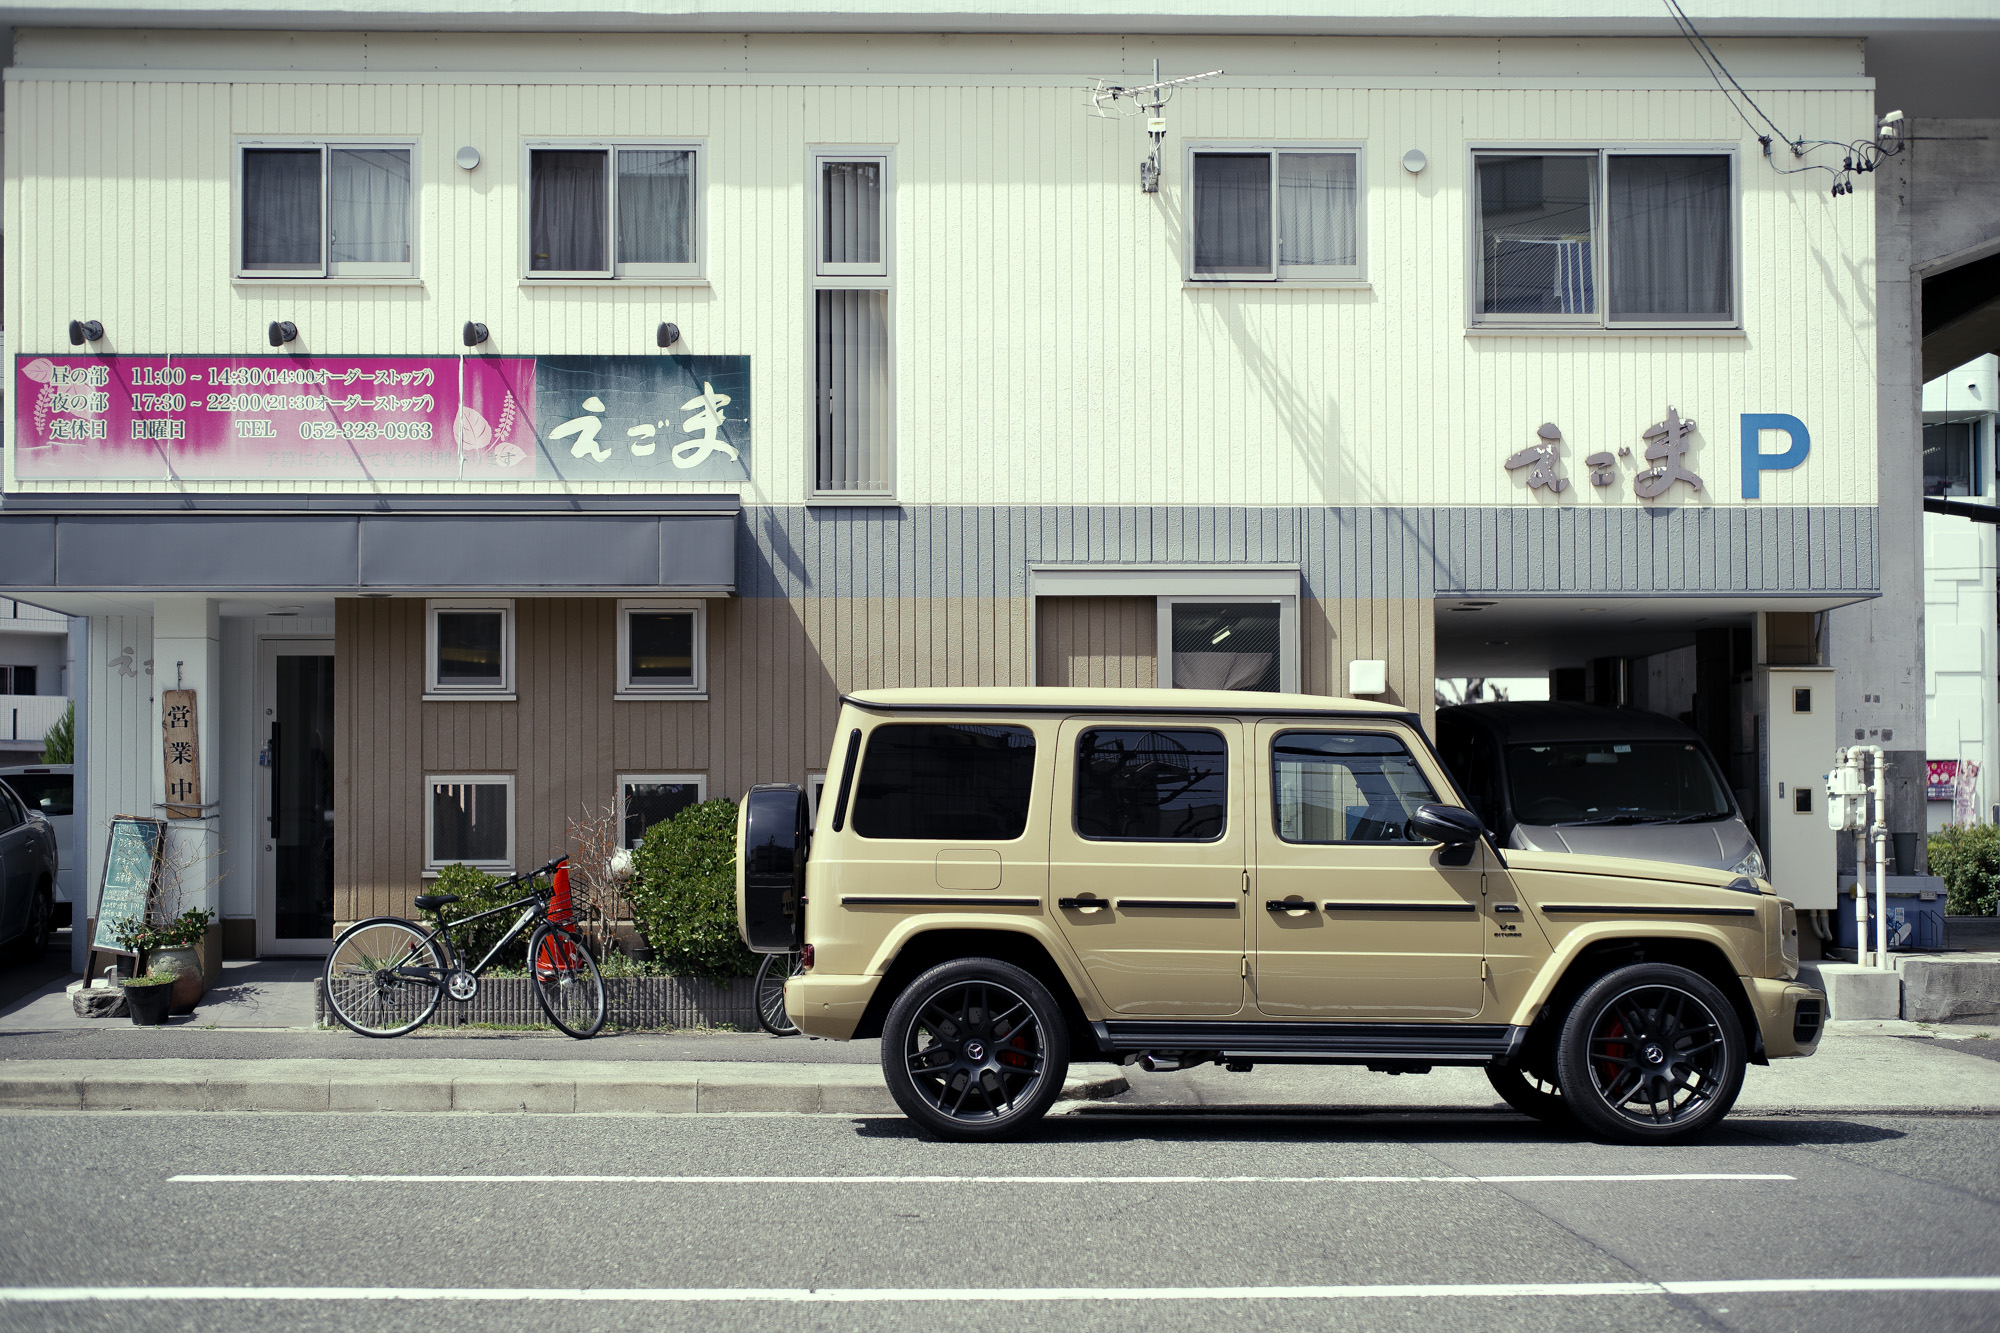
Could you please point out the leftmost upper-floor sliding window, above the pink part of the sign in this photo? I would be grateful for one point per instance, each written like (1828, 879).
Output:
(325, 209)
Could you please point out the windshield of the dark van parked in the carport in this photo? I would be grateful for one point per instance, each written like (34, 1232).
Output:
(1613, 784)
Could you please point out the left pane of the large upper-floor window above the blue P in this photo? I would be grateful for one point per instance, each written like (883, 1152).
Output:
(1537, 233)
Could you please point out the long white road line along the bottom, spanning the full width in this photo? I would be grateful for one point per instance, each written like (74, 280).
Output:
(913, 1296)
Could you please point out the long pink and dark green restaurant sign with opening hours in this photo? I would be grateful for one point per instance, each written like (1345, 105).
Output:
(485, 419)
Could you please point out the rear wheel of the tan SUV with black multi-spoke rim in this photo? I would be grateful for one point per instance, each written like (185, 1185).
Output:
(975, 1050)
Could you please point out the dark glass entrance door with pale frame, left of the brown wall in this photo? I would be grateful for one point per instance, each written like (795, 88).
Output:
(295, 798)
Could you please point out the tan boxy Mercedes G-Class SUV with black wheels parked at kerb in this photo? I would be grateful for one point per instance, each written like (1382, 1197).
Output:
(1007, 880)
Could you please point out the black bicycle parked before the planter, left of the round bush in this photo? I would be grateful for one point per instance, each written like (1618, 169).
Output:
(387, 976)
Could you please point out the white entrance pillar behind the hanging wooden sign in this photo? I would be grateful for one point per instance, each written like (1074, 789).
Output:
(187, 651)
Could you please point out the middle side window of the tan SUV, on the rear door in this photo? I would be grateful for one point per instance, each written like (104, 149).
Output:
(1151, 786)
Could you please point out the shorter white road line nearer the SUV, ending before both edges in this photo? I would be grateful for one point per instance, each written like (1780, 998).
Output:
(965, 1180)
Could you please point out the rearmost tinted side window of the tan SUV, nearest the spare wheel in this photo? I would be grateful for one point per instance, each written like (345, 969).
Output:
(945, 784)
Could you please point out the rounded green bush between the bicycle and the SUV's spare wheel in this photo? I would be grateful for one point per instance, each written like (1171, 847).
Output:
(685, 894)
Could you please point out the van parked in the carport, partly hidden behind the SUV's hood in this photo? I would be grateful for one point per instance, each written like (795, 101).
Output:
(1593, 780)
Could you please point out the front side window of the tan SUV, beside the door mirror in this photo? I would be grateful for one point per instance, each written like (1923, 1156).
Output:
(1331, 788)
